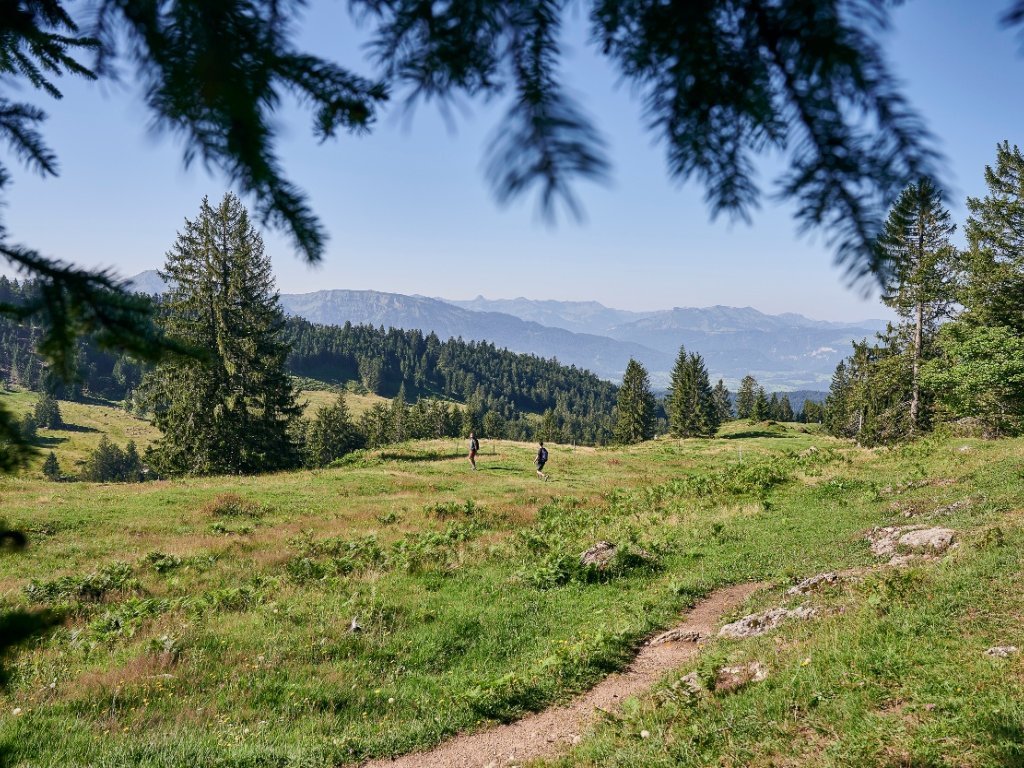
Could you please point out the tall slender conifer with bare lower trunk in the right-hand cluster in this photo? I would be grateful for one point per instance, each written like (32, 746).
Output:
(925, 275)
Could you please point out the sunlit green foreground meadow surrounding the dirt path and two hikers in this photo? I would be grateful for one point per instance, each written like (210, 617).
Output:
(208, 622)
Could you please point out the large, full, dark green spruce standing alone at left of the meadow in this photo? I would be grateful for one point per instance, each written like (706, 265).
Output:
(231, 411)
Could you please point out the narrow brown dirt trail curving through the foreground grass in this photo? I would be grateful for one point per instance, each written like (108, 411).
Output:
(550, 732)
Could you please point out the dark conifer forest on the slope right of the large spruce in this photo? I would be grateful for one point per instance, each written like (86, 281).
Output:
(503, 393)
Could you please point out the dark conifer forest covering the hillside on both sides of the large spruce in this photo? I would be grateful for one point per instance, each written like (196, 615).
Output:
(502, 395)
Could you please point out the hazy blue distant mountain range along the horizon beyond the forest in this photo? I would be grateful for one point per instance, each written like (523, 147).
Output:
(784, 352)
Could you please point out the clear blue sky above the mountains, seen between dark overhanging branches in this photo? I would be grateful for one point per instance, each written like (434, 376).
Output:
(408, 210)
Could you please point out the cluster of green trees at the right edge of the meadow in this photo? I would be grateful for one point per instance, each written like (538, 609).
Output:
(957, 354)
